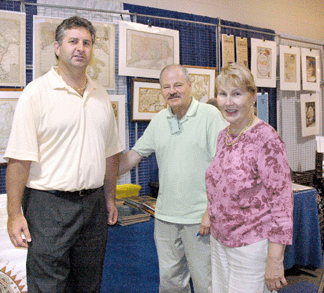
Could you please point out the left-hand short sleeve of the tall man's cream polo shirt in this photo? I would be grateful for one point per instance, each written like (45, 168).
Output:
(22, 144)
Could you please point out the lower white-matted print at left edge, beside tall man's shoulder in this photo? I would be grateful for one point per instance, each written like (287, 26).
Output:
(7, 108)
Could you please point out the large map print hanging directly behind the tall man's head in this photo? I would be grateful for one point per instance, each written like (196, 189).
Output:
(102, 66)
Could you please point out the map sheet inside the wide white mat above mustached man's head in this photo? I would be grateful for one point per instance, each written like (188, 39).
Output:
(148, 50)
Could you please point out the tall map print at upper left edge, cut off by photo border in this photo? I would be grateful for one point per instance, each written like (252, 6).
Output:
(13, 49)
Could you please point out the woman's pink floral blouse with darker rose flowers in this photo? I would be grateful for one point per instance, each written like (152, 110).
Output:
(249, 189)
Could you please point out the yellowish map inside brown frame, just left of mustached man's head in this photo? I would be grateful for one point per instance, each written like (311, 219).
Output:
(150, 100)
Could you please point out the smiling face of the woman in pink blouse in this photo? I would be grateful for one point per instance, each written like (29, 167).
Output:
(235, 105)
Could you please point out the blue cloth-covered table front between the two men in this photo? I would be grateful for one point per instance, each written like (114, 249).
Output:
(131, 263)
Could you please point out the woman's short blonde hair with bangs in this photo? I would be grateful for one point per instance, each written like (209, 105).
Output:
(236, 75)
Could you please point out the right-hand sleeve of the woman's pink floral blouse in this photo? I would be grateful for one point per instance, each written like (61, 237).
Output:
(275, 175)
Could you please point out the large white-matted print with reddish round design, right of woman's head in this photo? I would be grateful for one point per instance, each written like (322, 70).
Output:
(263, 62)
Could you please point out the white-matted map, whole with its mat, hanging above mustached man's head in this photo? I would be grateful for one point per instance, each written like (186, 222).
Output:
(145, 50)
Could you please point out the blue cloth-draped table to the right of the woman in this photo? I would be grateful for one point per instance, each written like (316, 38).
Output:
(306, 249)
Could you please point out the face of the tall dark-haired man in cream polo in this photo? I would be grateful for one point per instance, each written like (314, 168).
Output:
(76, 48)
